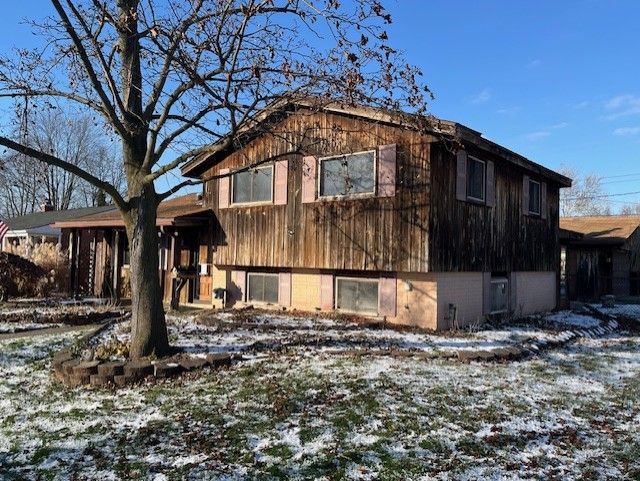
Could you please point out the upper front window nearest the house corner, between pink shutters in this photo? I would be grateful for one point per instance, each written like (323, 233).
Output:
(351, 174)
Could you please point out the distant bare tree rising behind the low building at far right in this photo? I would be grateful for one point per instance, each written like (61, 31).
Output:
(585, 196)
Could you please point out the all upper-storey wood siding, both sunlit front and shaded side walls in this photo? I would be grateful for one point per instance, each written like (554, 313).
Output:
(422, 228)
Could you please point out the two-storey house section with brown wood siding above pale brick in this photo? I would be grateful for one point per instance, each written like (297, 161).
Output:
(421, 222)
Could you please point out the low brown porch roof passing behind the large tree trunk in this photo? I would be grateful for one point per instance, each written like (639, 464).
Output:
(178, 211)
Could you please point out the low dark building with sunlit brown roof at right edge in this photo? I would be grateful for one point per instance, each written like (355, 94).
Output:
(600, 255)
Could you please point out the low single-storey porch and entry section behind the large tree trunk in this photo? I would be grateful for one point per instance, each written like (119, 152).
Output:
(99, 251)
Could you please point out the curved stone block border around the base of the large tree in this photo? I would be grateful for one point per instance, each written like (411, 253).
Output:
(71, 369)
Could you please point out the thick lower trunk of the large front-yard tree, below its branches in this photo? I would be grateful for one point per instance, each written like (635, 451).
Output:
(148, 326)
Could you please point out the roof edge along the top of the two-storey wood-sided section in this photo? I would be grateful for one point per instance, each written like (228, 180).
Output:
(432, 124)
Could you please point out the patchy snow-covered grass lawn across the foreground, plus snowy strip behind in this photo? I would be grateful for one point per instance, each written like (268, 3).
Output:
(308, 413)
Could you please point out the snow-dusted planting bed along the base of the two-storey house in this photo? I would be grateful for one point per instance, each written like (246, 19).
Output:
(257, 332)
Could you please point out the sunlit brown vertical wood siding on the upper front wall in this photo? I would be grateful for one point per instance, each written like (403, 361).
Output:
(375, 234)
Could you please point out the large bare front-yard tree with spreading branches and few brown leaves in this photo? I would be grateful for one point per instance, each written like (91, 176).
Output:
(177, 78)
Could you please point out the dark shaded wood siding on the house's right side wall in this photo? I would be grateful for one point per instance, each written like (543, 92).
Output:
(467, 236)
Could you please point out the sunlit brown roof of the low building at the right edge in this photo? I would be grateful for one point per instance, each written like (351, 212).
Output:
(605, 229)
